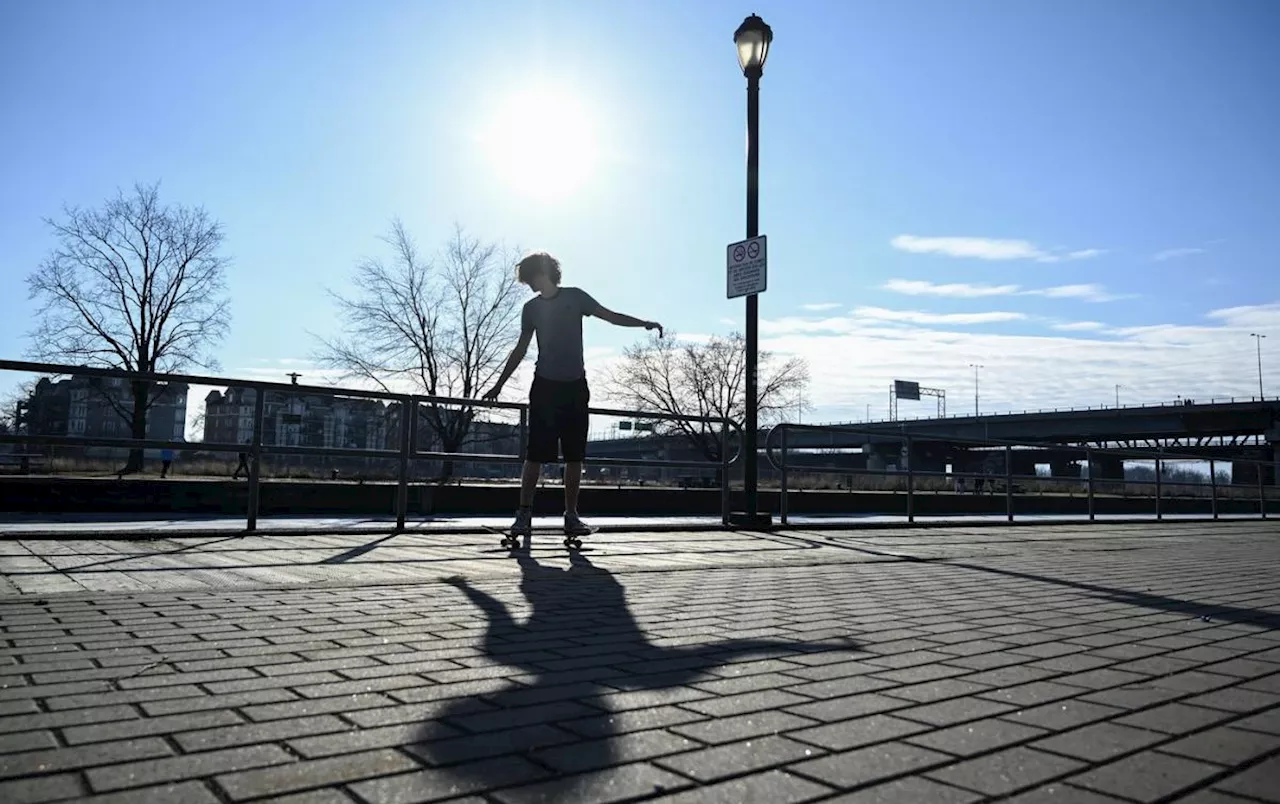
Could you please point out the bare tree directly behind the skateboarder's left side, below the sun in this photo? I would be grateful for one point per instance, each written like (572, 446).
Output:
(438, 327)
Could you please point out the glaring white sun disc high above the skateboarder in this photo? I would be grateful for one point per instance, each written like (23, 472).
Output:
(543, 144)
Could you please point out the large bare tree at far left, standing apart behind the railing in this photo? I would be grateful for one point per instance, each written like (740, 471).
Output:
(138, 286)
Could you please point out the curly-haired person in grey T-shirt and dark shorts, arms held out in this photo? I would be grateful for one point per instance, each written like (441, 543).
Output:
(559, 398)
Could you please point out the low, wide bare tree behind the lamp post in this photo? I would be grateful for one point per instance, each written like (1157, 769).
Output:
(708, 380)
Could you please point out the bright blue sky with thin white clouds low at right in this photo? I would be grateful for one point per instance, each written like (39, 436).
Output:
(1076, 195)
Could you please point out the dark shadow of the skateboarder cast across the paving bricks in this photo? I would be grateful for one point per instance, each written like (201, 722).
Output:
(582, 614)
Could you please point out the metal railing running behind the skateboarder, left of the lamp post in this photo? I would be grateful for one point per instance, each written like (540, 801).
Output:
(408, 449)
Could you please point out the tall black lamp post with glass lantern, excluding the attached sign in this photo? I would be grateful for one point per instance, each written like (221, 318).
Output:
(753, 39)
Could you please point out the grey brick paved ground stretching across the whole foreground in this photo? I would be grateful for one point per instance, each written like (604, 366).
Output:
(1104, 664)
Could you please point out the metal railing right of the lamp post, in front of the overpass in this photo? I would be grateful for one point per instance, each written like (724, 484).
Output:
(778, 453)
